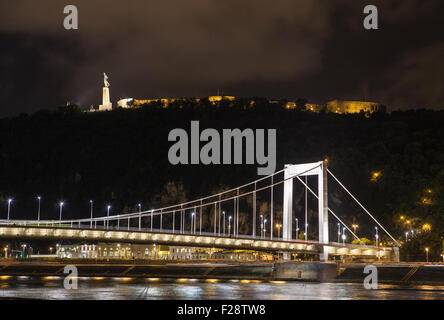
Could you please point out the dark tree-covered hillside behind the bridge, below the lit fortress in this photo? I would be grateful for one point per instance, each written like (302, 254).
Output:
(121, 157)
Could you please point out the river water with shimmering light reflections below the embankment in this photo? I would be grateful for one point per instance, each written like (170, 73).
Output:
(190, 289)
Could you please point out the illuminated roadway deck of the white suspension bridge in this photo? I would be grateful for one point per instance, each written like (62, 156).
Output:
(132, 235)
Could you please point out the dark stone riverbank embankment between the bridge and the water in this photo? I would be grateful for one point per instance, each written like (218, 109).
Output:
(401, 273)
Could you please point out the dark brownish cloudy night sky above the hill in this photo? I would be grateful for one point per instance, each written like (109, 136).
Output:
(317, 49)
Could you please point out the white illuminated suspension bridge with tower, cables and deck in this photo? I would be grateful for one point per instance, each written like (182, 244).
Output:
(217, 221)
